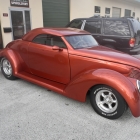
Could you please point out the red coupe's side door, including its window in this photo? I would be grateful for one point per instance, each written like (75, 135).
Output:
(49, 63)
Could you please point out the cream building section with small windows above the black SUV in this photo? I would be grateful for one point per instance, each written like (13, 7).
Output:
(112, 8)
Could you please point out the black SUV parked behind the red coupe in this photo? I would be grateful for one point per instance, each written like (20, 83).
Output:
(122, 34)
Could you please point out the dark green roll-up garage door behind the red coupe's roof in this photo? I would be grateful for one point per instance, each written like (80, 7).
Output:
(55, 13)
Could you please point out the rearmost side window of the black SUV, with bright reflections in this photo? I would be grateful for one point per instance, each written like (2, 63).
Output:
(116, 27)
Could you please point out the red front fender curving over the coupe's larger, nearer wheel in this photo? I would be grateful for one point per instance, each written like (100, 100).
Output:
(79, 86)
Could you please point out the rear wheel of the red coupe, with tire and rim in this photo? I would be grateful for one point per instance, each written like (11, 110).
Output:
(7, 69)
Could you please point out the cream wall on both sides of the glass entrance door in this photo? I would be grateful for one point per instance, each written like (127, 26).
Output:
(35, 12)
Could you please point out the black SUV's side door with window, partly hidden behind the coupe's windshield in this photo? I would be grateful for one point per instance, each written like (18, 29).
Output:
(94, 27)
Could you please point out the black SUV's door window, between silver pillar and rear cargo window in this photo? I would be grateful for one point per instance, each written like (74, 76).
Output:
(93, 27)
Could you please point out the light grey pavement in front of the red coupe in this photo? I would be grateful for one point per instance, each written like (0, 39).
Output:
(30, 112)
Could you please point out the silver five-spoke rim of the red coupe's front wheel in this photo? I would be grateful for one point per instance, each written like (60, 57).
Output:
(106, 101)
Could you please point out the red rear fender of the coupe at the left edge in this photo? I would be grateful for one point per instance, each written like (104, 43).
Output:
(14, 59)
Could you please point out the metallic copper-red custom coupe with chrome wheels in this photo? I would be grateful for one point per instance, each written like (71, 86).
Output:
(70, 61)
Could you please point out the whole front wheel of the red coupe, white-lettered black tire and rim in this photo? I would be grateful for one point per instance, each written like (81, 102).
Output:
(107, 102)
